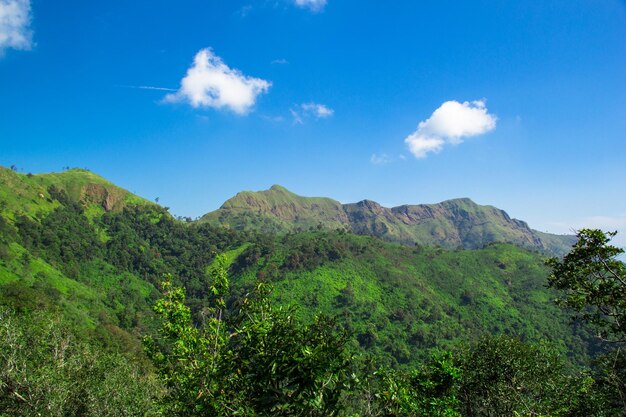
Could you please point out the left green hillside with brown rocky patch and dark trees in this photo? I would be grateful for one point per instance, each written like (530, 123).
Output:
(77, 244)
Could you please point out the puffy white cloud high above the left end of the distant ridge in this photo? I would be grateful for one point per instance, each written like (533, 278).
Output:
(211, 83)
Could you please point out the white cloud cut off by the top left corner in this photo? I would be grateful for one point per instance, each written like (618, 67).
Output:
(15, 25)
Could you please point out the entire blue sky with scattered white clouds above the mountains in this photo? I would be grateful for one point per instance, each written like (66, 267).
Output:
(521, 105)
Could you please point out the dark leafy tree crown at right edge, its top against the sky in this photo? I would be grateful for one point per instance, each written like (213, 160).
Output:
(593, 283)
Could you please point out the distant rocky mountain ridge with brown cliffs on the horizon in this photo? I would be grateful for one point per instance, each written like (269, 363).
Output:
(450, 224)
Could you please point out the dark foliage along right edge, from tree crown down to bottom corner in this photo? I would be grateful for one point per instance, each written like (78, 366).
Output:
(592, 281)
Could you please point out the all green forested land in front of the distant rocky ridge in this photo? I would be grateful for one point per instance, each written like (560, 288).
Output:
(111, 306)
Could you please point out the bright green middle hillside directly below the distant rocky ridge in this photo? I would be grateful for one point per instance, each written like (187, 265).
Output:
(404, 303)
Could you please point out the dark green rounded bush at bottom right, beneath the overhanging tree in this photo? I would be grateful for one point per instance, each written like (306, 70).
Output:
(502, 376)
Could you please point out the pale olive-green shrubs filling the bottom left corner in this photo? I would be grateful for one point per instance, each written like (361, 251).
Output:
(46, 370)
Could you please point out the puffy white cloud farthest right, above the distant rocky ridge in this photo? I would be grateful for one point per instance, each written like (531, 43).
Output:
(450, 124)
